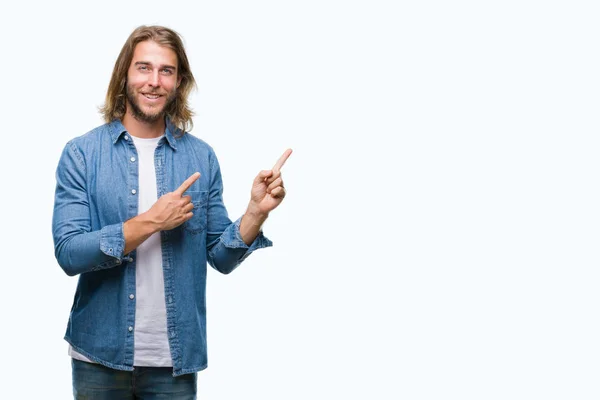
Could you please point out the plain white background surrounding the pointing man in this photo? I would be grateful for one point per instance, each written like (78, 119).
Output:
(440, 235)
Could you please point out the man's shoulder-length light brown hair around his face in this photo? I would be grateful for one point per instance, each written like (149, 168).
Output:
(179, 112)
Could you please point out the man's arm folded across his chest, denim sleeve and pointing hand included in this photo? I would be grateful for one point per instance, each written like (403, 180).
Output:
(77, 248)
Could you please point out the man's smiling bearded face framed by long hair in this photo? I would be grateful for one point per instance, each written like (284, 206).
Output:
(152, 81)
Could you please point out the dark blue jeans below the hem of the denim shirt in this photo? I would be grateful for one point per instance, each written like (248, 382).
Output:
(95, 381)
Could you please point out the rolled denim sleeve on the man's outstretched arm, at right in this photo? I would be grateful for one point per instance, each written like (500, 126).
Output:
(225, 247)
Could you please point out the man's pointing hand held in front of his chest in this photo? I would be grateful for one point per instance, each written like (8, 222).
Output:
(173, 209)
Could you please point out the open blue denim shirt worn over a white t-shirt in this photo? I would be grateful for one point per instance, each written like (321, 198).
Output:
(96, 188)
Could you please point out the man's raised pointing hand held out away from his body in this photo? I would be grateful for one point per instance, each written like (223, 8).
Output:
(268, 190)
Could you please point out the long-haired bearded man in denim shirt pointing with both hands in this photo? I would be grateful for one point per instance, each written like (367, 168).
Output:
(138, 214)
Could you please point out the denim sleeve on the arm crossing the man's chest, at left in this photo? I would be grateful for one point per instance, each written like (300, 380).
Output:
(76, 248)
